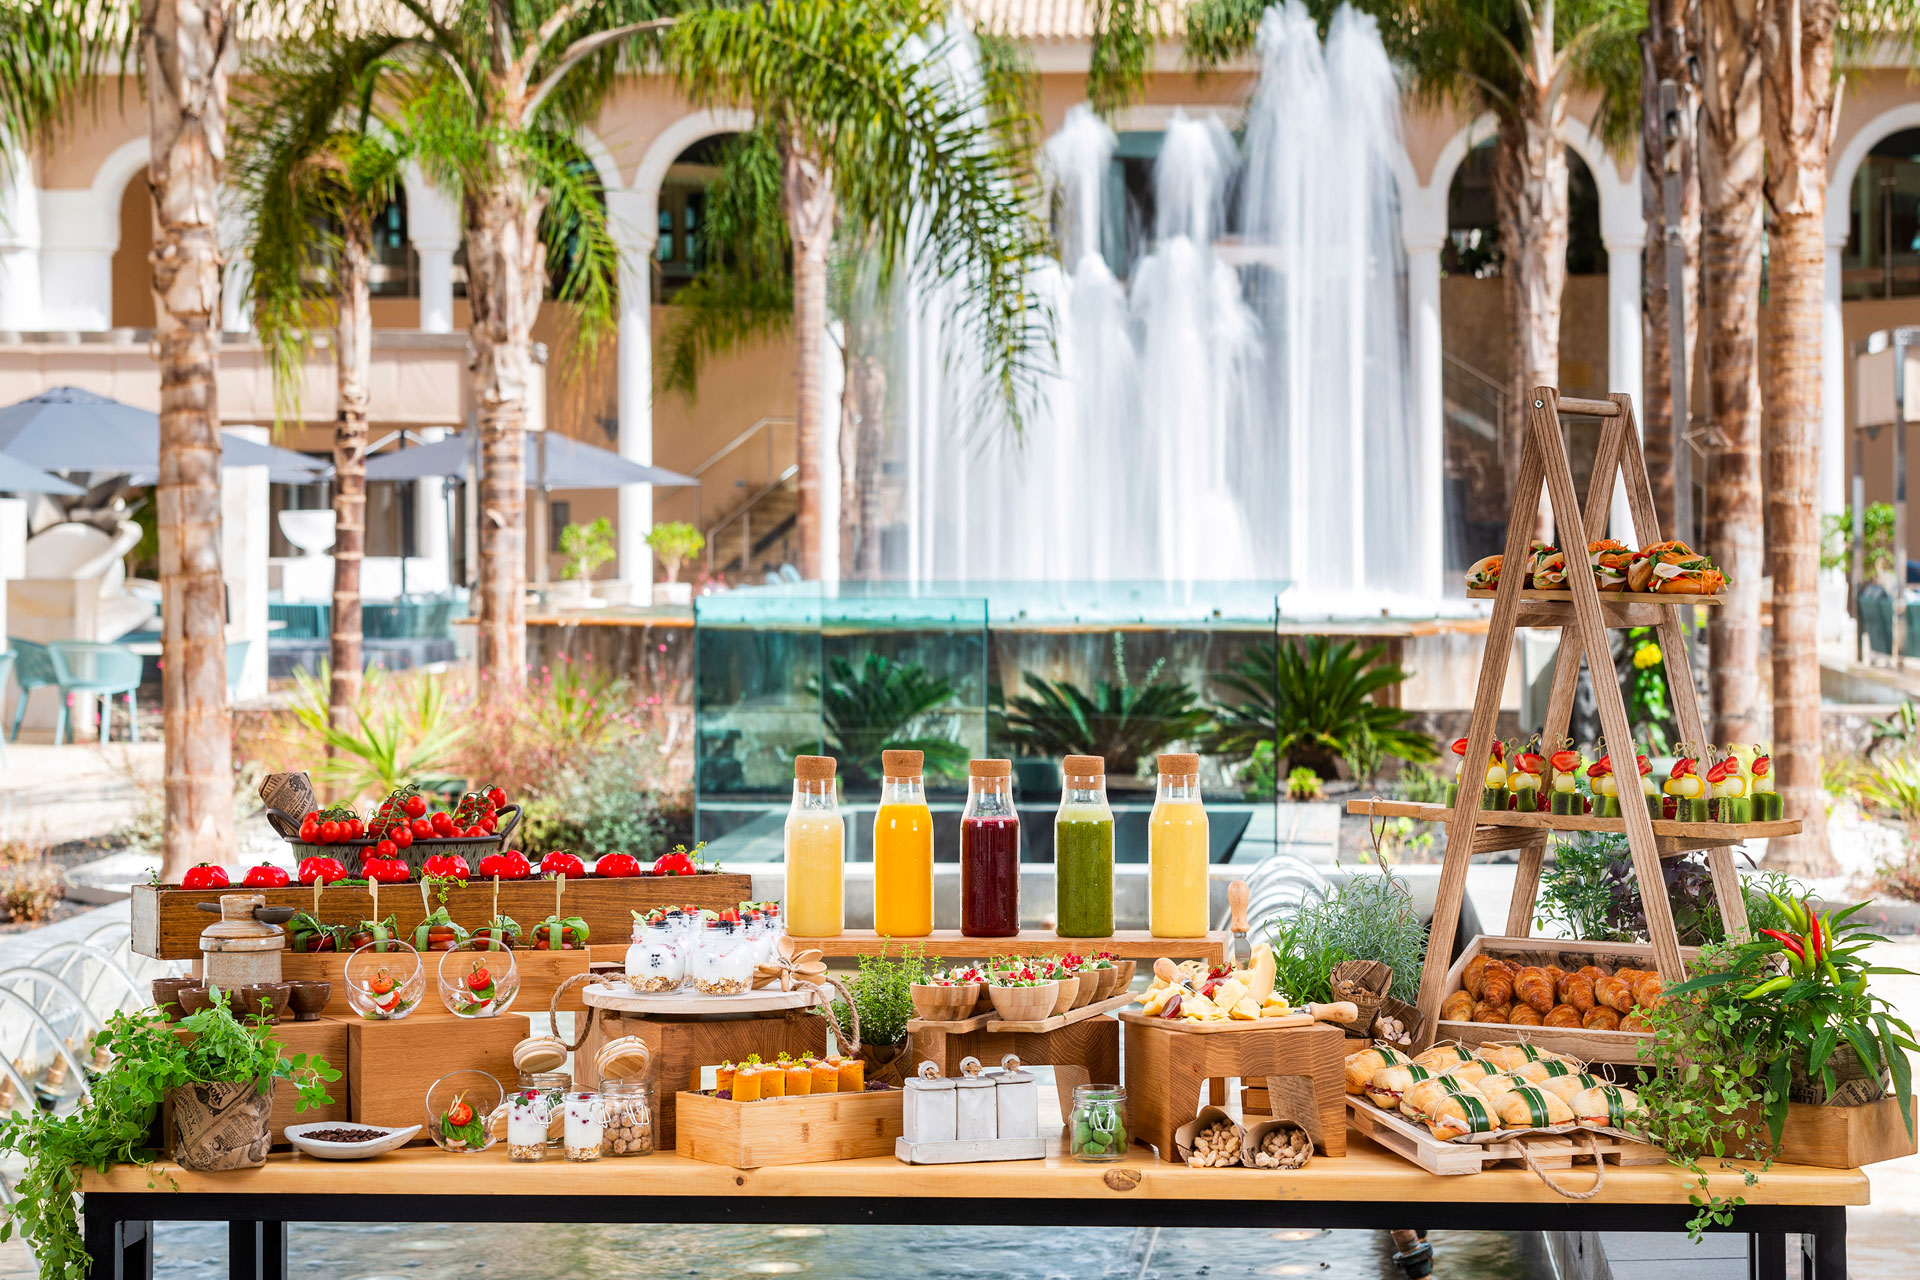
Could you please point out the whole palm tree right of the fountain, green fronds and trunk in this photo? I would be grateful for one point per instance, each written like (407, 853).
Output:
(1518, 60)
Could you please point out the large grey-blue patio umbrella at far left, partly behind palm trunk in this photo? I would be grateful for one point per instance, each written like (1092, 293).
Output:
(72, 429)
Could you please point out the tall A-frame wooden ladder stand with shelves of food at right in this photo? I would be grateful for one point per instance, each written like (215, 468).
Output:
(1585, 617)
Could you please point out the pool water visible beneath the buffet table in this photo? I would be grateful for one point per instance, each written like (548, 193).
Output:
(510, 1252)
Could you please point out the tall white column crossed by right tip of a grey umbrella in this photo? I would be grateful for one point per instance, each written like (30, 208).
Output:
(633, 218)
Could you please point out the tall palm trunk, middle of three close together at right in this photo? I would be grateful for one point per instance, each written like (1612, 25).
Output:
(1733, 168)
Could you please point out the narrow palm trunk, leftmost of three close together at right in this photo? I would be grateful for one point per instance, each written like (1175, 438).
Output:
(1666, 51)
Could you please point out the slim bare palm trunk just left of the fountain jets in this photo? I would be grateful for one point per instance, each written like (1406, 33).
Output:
(809, 197)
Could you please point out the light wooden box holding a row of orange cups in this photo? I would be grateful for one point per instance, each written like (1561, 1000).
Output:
(788, 1131)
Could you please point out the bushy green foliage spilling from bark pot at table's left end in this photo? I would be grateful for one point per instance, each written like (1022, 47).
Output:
(118, 1120)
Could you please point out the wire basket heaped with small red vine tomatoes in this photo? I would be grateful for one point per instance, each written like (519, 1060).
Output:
(404, 826)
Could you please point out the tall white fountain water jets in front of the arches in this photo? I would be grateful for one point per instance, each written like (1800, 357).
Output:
(1237, 406)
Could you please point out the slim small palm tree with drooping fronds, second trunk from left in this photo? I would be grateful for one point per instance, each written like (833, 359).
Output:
(316, 170)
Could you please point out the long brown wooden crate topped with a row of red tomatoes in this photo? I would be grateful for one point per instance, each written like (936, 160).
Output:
(168, 922)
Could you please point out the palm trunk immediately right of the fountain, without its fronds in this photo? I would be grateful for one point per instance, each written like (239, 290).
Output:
(1531, 201)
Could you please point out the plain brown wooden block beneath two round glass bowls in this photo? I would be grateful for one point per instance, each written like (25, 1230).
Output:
(393, 1064)
